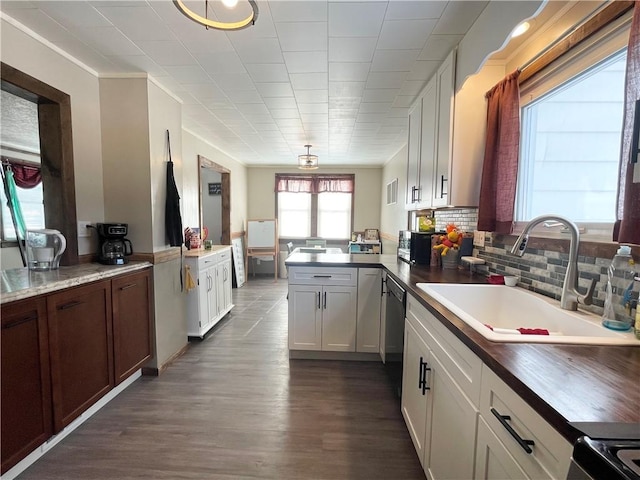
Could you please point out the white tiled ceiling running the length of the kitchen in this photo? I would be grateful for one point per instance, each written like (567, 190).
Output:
(339, 74)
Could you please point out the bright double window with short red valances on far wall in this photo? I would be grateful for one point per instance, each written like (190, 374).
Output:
(314, 206)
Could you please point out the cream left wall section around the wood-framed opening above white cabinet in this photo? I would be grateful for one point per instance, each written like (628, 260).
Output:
(192, 146)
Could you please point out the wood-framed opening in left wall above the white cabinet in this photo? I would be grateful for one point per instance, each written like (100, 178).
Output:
(215, 194)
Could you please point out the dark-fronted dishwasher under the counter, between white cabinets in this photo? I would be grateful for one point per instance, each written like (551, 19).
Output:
(394, 333)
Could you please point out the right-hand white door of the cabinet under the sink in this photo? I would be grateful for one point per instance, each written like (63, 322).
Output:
(452, 428)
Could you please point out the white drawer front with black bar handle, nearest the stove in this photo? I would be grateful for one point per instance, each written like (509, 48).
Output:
(550, 453)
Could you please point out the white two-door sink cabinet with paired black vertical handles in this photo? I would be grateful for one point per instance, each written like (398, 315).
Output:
(442, 422)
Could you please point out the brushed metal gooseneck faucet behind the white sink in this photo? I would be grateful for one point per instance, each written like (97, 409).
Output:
(570, 294)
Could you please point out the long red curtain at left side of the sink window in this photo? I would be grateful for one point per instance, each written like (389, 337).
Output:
(500, 168)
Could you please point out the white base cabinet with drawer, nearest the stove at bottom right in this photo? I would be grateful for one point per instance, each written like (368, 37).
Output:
(517, 435)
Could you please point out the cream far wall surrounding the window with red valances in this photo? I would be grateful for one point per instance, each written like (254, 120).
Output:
(367, 195)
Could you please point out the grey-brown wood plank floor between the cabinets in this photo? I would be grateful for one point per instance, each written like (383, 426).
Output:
(234, 406)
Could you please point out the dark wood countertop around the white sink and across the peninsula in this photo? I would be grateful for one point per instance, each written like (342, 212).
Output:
(565, 384)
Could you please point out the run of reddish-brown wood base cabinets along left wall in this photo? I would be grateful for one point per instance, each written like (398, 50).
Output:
(63, 351)
